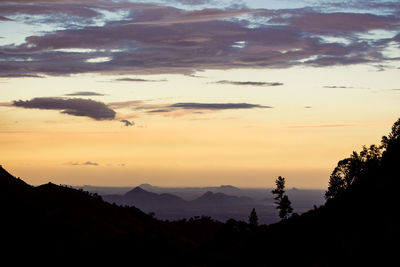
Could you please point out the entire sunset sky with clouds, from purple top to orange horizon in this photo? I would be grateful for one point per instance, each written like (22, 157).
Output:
(194, 92)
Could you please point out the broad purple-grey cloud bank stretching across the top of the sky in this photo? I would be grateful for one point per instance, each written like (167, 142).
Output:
(154, 39)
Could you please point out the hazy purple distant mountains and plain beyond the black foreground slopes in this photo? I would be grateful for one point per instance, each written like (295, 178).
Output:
(221, 203)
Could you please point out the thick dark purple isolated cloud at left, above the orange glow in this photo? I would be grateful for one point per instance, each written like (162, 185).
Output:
(72, 106)
